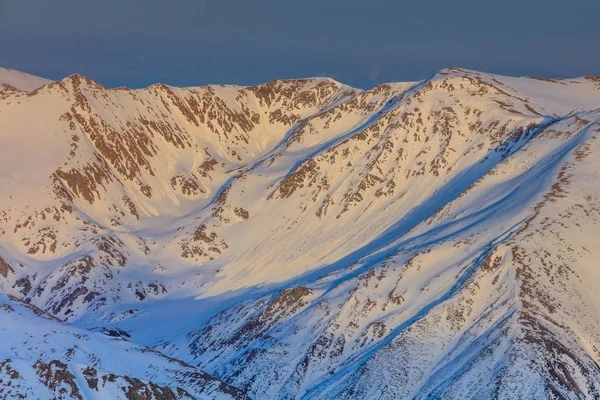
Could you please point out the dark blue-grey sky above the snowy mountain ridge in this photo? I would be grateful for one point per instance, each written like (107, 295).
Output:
(362, 43)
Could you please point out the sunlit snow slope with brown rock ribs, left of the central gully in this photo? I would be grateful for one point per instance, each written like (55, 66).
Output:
(117, 170)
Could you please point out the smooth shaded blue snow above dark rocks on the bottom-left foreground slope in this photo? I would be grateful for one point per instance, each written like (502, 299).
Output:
(29, 339)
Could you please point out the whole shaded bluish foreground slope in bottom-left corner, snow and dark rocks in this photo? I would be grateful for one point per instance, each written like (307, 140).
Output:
(42, 357)
